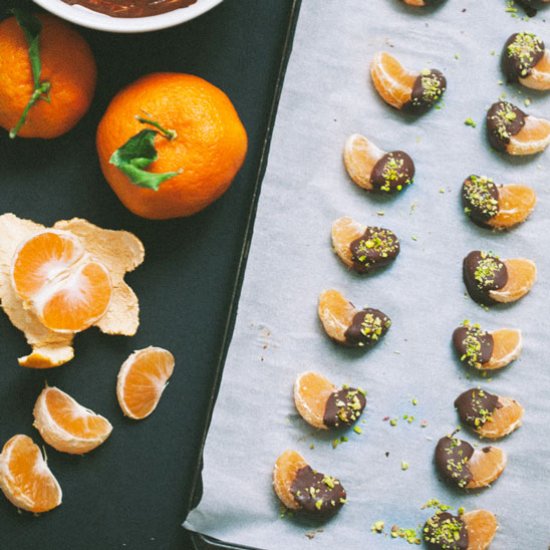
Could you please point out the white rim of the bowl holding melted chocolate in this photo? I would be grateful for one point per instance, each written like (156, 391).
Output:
(94, 20)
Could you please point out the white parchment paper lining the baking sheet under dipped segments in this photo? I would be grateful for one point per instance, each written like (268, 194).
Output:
(327, 96)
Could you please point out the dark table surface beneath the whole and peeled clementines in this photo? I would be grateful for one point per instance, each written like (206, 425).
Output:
(134, 491)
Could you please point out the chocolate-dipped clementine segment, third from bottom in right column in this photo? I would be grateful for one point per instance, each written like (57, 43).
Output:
(489, 415)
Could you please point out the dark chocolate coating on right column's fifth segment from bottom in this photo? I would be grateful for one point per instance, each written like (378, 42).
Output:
(482, 273)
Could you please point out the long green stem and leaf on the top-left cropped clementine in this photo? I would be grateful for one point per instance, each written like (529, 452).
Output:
(32, 28)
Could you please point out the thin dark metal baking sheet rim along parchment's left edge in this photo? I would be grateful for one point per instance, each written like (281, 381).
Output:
(202, 542)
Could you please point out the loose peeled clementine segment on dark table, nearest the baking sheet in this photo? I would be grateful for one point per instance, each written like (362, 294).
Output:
(142, 379)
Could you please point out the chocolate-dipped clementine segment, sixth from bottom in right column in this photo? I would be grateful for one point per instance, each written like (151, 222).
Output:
(496, 206)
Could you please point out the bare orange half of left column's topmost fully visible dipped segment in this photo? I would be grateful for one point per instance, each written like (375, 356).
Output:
(392, 81)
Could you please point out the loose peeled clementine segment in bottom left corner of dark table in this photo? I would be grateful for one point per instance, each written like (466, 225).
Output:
(25, 477)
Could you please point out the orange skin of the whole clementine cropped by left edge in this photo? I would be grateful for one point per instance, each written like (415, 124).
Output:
(67, 64)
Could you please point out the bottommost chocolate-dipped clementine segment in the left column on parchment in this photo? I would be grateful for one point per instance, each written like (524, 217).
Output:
(299, 487)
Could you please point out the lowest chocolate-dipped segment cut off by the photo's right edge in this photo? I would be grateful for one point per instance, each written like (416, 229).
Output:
(513, 131)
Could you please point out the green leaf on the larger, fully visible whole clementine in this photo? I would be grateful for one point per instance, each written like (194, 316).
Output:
(135, 156)
